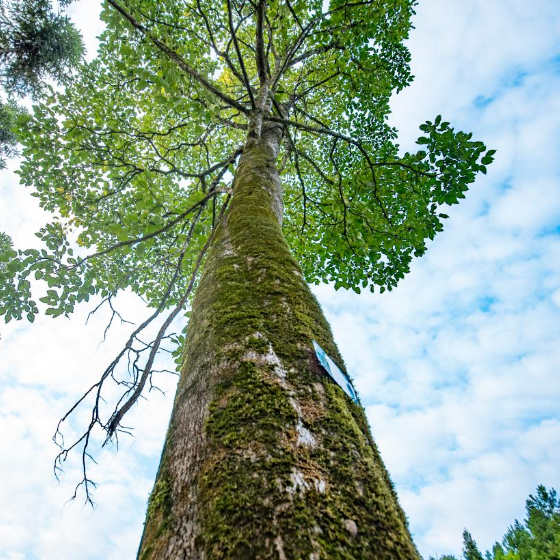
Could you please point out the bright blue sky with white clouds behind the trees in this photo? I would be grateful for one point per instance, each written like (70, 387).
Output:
(457, 368)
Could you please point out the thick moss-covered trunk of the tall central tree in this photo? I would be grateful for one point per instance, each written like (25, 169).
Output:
(266, 456)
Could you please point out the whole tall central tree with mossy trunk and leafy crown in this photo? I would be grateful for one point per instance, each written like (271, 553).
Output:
(133, 159)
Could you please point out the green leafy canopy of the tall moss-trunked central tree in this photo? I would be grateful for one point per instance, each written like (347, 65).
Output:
(134, 159)
